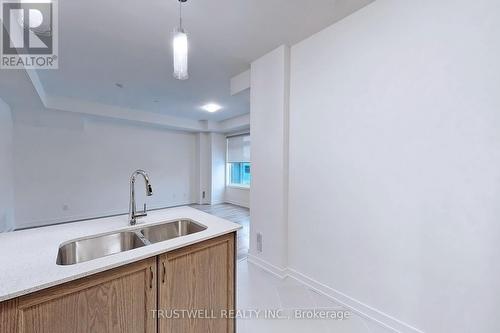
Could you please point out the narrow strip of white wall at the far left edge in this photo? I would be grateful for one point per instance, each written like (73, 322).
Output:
(6, 169)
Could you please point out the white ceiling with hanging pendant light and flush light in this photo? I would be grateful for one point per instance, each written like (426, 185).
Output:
(102, 43)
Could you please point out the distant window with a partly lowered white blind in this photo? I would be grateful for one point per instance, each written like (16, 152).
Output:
(238, 161)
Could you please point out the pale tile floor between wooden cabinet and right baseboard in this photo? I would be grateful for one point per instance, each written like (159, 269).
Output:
(259, 290)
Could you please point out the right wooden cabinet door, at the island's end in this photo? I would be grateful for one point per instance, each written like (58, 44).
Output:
(201, 279)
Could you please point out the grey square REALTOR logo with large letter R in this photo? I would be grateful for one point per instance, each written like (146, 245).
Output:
(29, 34)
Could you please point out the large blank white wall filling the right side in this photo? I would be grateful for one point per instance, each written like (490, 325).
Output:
(395, 161)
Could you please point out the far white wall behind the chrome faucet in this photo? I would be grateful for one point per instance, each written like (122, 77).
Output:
(70, 167)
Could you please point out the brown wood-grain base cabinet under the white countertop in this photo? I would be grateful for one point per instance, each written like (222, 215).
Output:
(127, 299)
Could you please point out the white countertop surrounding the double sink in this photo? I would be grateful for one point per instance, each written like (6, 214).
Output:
(28, 257)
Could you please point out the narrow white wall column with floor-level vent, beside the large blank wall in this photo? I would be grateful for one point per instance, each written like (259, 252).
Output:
(268, 124)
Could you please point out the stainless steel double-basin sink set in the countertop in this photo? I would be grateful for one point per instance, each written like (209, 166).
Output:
(99, 246)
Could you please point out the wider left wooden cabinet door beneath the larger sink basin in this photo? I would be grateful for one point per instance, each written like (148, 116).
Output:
(119, 300)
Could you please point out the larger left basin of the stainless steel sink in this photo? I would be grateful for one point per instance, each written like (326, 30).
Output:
(97, 247)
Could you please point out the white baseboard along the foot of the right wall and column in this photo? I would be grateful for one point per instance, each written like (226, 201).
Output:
(354, 305)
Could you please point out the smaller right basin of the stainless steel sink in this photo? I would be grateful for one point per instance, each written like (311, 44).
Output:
(166, 231)
